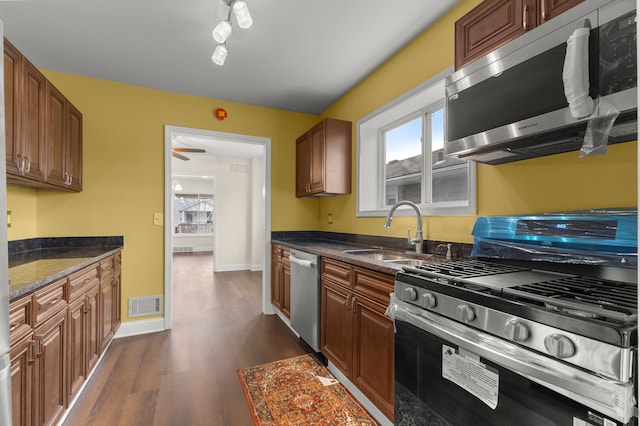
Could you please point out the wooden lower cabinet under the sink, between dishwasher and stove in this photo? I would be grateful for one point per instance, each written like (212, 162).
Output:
(356, 335)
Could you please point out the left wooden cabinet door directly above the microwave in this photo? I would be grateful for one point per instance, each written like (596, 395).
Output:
(490, 25)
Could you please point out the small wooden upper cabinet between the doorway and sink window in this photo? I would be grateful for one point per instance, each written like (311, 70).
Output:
(323, 159)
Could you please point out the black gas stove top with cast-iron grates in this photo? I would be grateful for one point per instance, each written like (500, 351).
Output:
(602, 309)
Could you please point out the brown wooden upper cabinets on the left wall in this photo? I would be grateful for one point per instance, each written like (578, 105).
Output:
(43, 129)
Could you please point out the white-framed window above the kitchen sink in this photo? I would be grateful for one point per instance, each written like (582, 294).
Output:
(401, 157)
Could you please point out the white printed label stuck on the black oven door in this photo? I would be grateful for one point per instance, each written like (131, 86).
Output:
(471, 375)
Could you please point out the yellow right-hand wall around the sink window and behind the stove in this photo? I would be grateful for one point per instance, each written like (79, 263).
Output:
(559, 182)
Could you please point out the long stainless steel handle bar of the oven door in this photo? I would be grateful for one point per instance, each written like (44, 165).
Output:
(612, 398)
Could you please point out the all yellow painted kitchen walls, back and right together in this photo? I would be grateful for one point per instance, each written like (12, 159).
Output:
(124, 164)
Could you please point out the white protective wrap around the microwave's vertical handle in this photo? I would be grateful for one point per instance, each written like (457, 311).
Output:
(575, 74)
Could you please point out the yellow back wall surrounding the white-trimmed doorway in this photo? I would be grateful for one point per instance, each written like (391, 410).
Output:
(123, 162)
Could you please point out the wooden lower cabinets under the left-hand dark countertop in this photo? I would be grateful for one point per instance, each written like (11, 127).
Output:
(57, 337)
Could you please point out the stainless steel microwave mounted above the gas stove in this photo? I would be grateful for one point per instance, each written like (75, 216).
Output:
(511, 104)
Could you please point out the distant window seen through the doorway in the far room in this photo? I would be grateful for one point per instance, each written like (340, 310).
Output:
(193, 214)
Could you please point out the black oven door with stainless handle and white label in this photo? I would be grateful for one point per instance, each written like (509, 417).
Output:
(449, 374)
